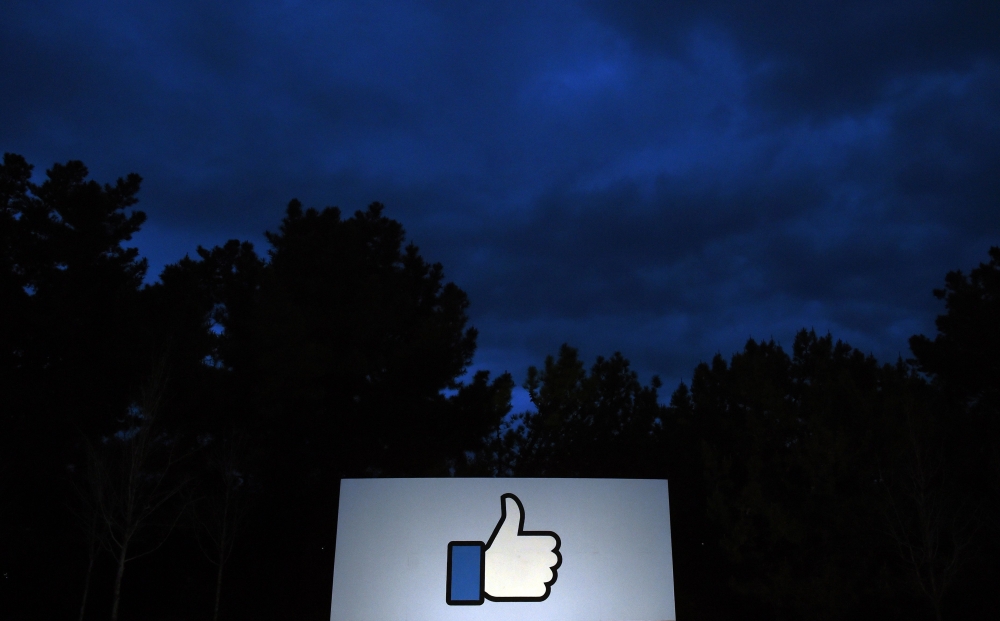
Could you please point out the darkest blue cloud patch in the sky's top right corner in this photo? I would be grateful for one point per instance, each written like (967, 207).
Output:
(827, 57)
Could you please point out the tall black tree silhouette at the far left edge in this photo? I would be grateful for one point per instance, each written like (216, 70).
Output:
(69, 291)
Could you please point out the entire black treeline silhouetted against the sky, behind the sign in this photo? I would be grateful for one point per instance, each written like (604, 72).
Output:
(173, 451)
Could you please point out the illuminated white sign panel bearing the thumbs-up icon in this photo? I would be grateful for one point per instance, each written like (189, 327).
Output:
(503, 550)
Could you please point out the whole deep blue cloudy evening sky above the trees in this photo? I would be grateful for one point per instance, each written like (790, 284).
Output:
(664, 179)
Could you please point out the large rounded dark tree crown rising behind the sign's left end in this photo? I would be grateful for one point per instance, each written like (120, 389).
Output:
(360, 336)
